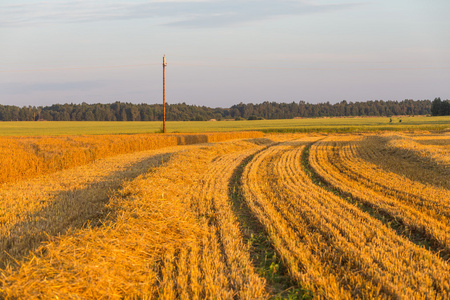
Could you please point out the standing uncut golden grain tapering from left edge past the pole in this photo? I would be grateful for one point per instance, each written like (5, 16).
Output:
(26, 157)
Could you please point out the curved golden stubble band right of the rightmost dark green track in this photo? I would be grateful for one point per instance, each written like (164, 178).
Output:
(424, 208)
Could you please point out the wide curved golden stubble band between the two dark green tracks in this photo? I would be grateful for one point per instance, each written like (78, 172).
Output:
(330, 246)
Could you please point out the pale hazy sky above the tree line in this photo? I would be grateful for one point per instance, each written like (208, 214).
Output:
(220, 53)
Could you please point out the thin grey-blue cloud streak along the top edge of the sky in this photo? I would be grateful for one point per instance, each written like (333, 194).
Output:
(185, 13)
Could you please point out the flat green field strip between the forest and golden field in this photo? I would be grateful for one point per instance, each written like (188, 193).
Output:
(356, 124)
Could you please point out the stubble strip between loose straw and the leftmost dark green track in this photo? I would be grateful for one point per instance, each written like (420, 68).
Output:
(224, 267)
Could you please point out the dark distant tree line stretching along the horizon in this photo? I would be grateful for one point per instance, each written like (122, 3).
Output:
(119, 111)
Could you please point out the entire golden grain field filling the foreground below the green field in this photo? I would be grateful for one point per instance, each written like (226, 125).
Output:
(327, 216)
